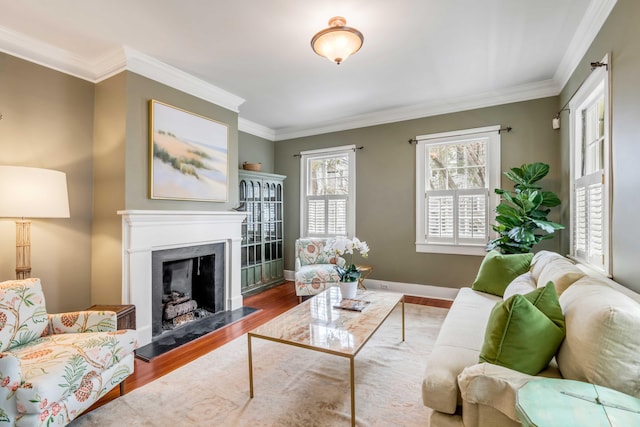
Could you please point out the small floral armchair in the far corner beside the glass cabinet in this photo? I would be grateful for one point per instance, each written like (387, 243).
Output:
(315, 269)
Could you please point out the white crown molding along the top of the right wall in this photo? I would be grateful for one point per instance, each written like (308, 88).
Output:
(594, 18)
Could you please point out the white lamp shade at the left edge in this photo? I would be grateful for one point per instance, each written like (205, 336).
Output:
(33, 193)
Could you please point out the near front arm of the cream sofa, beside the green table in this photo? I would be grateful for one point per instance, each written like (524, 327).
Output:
(492, 385)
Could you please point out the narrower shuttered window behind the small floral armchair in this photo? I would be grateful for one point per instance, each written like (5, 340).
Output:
(328, 192)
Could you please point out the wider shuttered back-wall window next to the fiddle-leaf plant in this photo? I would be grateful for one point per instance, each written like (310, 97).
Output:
(456, 174)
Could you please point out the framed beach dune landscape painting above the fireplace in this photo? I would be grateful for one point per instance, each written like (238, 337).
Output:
(188, 155)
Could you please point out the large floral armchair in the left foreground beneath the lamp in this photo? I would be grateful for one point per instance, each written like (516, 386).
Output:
(55, 366)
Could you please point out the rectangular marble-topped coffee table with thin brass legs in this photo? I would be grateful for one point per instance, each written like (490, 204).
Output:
(316, 325)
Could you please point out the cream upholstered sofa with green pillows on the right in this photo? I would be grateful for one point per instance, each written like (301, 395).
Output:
(601, 346)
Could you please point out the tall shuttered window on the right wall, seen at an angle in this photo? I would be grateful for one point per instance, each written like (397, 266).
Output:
(590, 175)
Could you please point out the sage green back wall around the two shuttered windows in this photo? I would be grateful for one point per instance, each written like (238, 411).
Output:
(385, 181)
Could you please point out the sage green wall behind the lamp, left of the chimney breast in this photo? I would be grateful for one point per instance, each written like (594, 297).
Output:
(47, 122)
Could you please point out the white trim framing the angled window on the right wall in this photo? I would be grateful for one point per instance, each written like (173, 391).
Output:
(584, 95)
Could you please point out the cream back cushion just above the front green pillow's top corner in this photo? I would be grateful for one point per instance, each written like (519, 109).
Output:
(552, 267)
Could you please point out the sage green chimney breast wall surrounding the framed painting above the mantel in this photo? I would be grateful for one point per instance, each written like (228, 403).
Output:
(131, 93)
